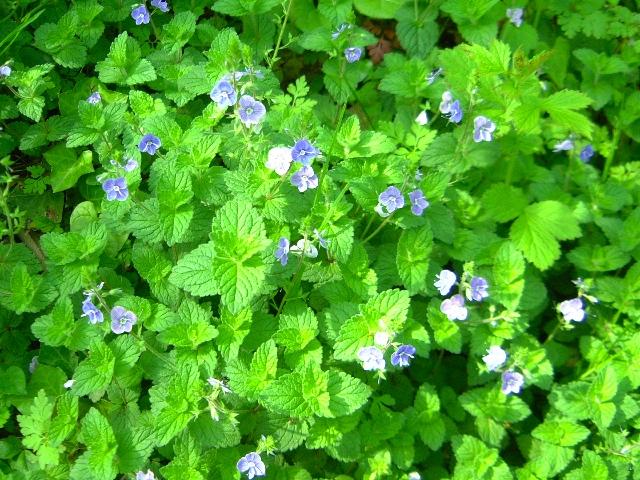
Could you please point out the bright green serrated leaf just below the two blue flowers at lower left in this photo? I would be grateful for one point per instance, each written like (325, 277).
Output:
(95, 372)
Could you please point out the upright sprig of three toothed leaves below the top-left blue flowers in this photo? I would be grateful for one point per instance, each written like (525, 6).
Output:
(124, 64)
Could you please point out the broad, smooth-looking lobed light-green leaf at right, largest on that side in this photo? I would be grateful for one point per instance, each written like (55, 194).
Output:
(536, 232)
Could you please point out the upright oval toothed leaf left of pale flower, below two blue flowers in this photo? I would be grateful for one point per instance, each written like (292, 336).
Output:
(414, 250)
